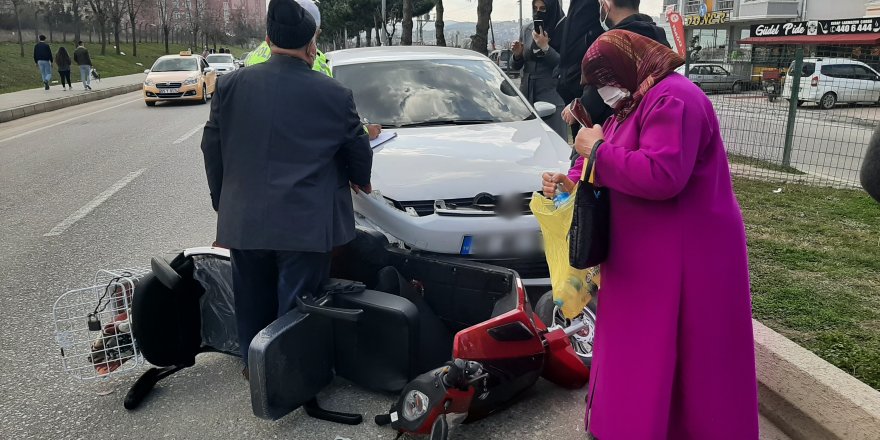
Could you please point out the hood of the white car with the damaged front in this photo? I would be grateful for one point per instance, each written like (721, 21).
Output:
(462, 161)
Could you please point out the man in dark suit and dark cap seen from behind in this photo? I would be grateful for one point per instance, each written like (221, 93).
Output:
(283, 149)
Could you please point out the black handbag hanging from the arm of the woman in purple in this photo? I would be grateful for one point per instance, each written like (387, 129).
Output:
(590, 222)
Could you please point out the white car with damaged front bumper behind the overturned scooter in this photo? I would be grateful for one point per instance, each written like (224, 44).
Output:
(468, 154)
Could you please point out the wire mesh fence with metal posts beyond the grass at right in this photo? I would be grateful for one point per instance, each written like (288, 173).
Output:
(795, 113)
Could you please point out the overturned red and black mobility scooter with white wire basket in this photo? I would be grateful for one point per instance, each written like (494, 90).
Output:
(452, 337)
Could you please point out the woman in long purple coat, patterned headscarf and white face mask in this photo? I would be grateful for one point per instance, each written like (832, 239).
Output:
(674, 355)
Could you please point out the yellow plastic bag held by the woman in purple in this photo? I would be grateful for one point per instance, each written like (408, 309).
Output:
(571, 287)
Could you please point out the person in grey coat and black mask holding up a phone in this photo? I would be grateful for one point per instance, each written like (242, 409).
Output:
(539, 60)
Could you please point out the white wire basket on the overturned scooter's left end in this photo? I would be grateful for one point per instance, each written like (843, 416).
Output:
(93, 329)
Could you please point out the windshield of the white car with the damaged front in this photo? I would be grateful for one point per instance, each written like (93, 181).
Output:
(432, 92)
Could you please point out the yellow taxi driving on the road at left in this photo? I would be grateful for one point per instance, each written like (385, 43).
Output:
(184, 77)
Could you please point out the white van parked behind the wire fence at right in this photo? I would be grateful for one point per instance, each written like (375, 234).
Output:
(829, 81)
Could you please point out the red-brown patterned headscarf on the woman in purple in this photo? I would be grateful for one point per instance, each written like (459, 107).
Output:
(629, 61)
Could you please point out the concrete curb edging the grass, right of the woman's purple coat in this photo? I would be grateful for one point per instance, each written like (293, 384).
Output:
(807, 397)
